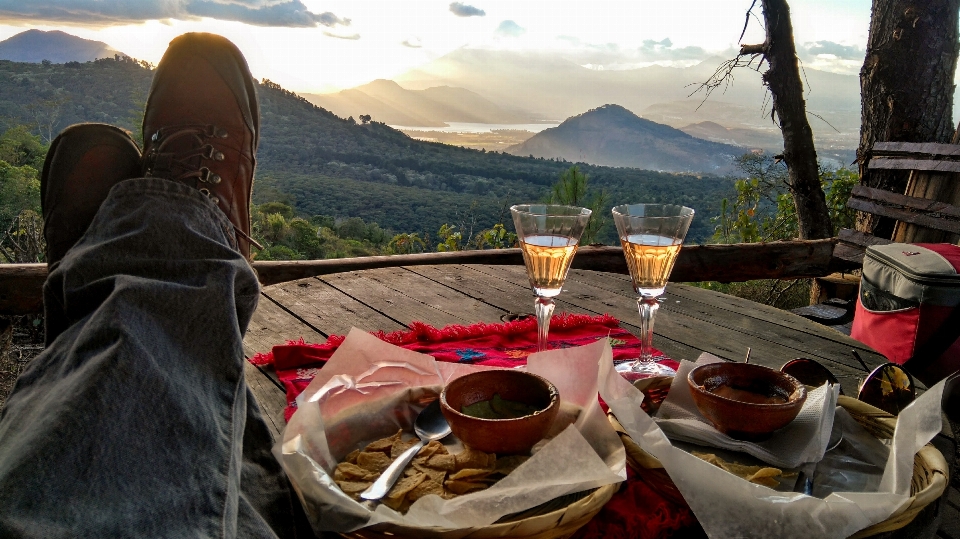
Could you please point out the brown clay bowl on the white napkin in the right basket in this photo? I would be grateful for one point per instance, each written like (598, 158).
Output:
(734, 414)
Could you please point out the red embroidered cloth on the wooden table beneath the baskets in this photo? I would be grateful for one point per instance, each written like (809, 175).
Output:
(637, 510)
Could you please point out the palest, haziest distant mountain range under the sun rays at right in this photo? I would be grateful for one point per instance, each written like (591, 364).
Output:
(555, 88)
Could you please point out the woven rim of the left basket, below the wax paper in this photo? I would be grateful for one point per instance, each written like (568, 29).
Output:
(553, 520)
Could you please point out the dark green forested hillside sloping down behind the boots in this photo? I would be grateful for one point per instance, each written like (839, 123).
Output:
(324, 165)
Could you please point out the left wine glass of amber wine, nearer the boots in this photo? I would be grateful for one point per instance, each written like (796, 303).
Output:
(549, 235)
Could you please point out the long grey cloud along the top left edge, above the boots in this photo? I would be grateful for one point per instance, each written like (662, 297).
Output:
(288, 13)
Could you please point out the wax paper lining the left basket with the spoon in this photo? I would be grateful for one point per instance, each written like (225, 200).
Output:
(368, 389)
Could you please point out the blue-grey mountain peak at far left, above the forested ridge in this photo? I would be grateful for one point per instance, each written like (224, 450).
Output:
(54, 46)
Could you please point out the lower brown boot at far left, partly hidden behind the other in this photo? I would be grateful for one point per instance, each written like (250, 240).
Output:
(83, 163)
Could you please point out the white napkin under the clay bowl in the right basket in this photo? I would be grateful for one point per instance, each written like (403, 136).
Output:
(805, 439)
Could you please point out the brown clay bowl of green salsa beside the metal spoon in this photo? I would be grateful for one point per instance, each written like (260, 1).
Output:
(500, 436)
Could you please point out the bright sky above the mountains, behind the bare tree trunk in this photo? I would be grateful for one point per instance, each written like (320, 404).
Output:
(327, 45)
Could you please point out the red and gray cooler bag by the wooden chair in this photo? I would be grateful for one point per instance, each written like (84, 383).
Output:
(909, 306)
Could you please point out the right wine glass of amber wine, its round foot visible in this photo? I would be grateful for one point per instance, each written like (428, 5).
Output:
(651, 235)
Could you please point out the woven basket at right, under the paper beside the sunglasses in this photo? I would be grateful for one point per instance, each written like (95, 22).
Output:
(929, 467)
